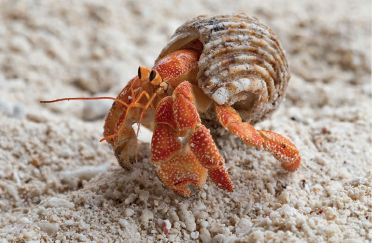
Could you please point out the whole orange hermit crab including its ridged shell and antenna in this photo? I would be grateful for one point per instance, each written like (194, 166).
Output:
(226, 70)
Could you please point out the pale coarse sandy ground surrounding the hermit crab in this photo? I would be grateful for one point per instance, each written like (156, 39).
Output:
(59, 184)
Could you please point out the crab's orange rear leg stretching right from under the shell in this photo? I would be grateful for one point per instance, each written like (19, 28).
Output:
(281, 148)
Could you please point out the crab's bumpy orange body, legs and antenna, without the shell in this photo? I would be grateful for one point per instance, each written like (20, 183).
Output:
(169, 100)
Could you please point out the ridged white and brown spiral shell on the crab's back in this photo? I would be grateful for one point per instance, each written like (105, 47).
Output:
(242, 63)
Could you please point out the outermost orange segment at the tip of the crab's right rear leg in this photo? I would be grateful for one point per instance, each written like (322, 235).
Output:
(282, 149)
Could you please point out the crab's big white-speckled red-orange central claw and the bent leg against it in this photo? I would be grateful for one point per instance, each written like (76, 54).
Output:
(178, 166)
